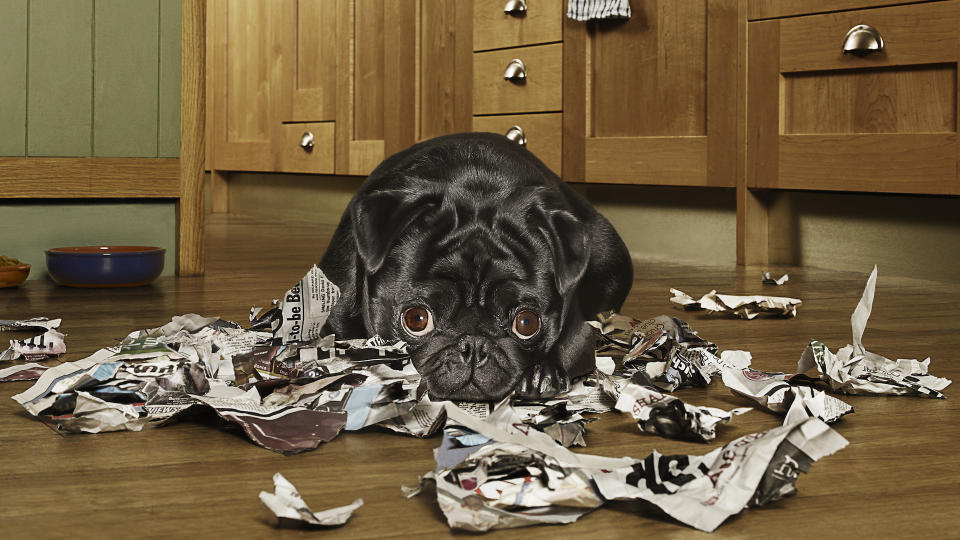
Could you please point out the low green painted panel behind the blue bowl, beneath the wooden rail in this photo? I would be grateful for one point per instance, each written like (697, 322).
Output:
(85, 224)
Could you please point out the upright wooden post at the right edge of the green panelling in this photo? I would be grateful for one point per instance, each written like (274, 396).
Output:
(190, 206)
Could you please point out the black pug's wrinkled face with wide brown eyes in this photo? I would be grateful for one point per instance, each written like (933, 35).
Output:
(479, 313)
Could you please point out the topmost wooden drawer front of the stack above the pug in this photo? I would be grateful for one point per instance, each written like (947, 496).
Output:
(494, 29)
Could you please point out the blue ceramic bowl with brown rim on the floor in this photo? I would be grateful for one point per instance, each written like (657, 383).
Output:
(105, 266)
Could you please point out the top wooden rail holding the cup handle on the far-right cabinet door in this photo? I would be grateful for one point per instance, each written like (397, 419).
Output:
(912, 34)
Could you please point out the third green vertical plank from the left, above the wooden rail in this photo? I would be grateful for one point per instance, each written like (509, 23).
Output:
(126, 66)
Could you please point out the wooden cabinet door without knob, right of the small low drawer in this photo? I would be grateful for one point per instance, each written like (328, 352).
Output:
(375, 109)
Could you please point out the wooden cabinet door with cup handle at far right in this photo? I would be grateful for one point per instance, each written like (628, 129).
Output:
(875, 120)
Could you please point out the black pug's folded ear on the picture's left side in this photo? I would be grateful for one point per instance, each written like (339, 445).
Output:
(378, 218)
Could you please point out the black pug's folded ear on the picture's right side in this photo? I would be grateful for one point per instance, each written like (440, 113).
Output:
(570, 244)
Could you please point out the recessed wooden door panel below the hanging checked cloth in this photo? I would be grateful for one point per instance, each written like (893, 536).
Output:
(650, 73)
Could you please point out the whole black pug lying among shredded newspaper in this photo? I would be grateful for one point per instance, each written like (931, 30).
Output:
(484, 261)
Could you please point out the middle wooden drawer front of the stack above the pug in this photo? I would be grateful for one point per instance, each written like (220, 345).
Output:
(541, 91)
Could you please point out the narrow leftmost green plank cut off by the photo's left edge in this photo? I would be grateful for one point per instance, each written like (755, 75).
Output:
(13, 77)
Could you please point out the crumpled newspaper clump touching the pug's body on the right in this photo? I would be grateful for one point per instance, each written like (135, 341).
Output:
(663, 352)
